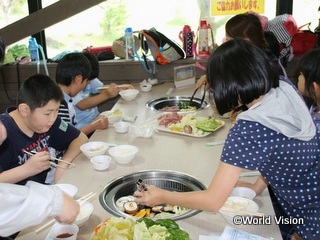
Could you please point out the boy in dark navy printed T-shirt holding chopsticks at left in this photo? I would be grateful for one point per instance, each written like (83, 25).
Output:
(35, 134)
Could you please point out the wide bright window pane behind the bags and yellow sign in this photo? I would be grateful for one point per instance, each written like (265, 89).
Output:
(100, 25)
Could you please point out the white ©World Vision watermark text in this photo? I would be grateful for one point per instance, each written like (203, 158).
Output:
(266, 220)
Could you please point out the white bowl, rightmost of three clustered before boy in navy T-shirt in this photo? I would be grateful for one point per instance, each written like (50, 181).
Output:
(123, 154)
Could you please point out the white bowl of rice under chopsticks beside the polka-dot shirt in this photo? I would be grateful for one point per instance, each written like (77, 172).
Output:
(238, 203)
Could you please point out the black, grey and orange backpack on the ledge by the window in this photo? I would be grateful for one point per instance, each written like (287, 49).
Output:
(163, 50)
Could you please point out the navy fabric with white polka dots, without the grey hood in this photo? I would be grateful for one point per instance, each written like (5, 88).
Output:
(291, 166)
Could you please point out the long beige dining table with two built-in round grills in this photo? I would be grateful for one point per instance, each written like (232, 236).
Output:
(162, 151)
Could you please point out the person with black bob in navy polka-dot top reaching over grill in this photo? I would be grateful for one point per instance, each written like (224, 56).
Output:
(276, 136)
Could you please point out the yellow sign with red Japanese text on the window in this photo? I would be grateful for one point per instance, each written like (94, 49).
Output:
(233, 7)
